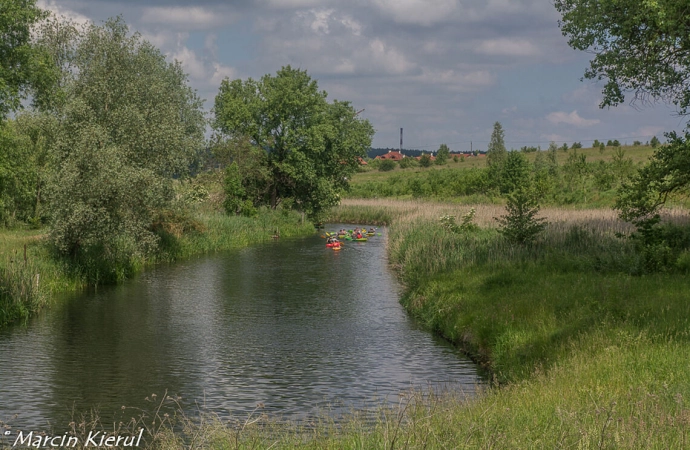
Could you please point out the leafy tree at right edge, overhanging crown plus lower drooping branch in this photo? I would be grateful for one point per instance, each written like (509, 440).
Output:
(641, 47)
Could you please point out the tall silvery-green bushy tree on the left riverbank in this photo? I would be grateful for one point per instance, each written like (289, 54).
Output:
(128, 124)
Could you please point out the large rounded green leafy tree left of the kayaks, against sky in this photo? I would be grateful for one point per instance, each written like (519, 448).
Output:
(310, 147)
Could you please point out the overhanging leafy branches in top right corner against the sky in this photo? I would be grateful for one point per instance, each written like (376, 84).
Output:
(638, 46)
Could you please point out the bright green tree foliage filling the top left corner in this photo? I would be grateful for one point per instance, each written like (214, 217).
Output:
(23, 67)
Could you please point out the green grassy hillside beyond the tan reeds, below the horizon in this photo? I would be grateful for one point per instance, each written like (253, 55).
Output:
(566, 184)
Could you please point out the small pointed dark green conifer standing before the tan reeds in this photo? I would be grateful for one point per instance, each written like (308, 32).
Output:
(520, 225)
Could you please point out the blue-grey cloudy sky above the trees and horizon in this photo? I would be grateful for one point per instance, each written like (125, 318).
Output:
(444, 70)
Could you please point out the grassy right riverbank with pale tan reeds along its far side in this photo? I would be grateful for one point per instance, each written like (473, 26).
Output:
(589, 350)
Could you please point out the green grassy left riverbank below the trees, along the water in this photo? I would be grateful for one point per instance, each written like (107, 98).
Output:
(30, 276)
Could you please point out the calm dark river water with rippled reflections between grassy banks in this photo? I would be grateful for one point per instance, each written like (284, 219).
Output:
(289, 324)
